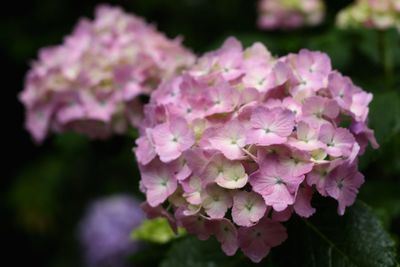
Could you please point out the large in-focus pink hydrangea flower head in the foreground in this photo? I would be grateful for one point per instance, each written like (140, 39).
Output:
(242, 140)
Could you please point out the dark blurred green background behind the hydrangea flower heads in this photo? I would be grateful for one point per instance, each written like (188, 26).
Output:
(44, 189)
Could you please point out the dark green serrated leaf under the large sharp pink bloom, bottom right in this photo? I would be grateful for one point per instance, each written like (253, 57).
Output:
(357, 239)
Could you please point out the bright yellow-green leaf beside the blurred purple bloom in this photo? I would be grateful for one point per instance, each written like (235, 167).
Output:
(156, 231)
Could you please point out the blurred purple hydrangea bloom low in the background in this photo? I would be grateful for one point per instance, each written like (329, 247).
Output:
(105, 231)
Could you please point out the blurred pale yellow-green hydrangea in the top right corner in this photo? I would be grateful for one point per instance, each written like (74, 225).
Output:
(378, 14)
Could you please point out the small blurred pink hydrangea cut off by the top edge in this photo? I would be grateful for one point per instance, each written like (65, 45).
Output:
(290, 14)
